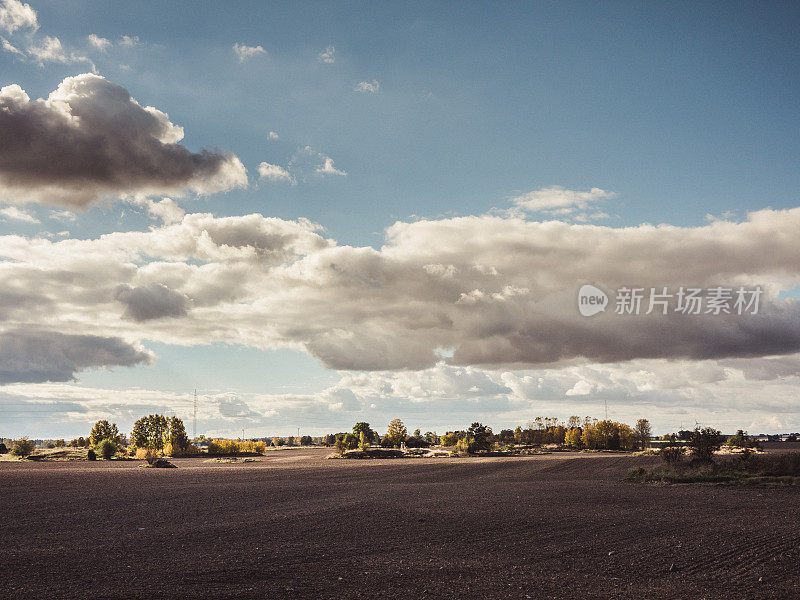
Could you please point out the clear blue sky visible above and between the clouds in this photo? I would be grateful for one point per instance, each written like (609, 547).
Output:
(677, 110)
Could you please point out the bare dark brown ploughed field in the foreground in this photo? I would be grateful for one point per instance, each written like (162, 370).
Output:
(295, 525)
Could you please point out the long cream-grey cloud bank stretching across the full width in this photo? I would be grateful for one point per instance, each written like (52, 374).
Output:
(490, 291)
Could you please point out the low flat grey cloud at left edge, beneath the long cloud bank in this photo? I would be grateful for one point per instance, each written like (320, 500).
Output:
(39, 356)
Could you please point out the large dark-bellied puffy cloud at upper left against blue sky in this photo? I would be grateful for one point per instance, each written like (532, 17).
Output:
(90, 140)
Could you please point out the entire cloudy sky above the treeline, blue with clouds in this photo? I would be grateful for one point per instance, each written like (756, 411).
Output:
(323, 213)
